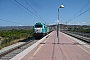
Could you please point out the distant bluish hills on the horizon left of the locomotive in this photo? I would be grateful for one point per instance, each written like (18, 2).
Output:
(15, 27)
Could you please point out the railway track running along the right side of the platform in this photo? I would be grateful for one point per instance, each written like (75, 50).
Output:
(78, 36)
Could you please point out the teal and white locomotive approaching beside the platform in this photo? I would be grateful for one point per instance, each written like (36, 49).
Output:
(40, 30)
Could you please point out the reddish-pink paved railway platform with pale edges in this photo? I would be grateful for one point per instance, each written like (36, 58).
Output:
(68, 48)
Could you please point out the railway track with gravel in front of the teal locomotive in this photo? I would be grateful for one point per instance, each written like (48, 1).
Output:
(16, 50)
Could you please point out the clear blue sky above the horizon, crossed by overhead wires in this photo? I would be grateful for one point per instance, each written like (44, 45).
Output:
(28, 12)
